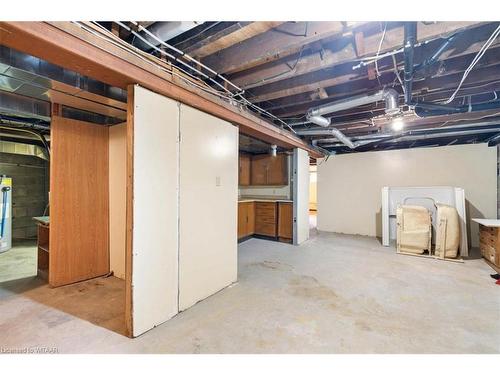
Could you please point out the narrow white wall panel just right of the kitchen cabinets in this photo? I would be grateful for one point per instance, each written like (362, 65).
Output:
(301, 196)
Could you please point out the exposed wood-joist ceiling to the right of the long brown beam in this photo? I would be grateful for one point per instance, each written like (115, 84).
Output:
(287, 68)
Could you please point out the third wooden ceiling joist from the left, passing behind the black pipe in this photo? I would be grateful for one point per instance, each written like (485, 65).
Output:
(337, 52)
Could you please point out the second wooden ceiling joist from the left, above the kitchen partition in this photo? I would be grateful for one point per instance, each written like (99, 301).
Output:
(274, 44)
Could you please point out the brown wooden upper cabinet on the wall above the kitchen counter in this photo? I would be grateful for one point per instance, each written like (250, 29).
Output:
(269, 170)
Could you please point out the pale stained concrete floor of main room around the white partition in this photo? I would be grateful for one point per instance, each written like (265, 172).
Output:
(334, 294)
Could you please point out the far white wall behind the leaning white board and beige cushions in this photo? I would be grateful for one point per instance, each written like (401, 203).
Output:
(349, 186)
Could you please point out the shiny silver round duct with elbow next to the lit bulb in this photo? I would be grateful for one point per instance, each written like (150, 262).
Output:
(390, 96)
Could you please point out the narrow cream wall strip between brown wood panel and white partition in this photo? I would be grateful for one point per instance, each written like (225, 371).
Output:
(117, 198)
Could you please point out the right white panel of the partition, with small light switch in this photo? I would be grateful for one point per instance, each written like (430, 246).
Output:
(208, 205)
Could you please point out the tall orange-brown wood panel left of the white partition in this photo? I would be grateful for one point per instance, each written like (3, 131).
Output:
(79, 201)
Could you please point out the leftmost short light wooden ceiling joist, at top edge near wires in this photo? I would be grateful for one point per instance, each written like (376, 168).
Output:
(224, 39)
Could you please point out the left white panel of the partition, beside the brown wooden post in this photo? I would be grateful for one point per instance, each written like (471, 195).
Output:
(155, 210)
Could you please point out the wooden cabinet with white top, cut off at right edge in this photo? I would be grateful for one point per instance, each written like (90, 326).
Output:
(489, 241)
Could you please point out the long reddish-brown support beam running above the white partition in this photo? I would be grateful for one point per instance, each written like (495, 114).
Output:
(69, 46)
